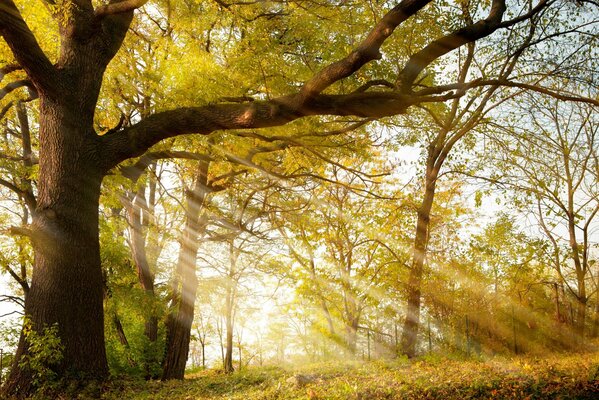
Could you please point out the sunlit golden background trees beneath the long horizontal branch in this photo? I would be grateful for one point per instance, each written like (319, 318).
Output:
(304, 258)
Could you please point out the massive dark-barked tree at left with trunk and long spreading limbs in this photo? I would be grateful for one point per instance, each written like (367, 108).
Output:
(66, 285)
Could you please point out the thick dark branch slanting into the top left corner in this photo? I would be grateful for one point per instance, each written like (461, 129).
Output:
(24, 46)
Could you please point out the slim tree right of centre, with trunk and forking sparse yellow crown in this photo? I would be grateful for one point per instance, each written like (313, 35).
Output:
(446, 126)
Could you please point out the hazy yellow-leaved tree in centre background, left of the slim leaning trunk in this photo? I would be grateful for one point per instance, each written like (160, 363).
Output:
(341, 259)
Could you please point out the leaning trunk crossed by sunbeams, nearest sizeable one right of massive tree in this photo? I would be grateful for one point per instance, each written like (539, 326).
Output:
(180, 318)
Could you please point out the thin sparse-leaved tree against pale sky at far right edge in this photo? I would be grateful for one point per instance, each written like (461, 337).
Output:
(549, 157)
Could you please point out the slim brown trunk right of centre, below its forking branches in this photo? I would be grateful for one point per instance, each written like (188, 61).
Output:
(409, 339)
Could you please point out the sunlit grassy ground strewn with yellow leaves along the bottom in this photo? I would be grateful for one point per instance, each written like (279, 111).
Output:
(551, 377)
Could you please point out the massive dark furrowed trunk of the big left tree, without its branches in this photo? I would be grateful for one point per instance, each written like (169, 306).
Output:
(67, 287)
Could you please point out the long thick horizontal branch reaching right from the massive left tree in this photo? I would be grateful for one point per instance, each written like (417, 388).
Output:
(135, 140)
